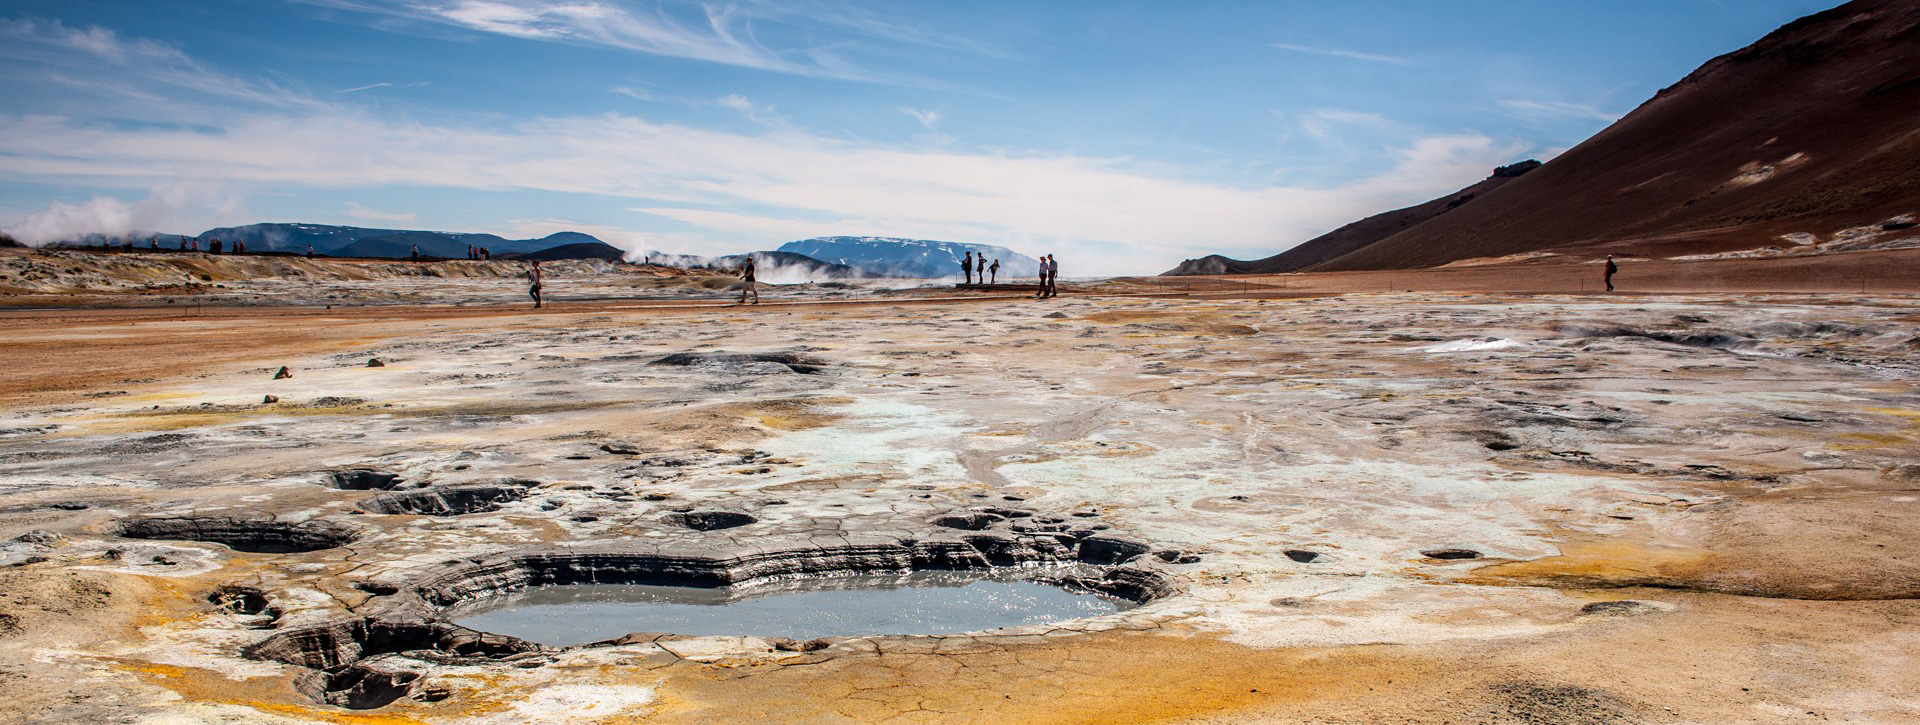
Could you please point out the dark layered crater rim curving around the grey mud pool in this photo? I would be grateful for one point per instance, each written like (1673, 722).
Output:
(345, 657)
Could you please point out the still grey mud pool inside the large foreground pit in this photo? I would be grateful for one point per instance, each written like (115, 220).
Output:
(923, 603)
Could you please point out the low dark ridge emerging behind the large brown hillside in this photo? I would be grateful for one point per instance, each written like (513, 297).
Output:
(1355, 237)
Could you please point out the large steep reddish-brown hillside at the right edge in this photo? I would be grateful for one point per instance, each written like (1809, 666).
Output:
(1812, 129)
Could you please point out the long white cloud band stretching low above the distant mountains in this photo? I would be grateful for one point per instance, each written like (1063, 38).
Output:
(765, 183)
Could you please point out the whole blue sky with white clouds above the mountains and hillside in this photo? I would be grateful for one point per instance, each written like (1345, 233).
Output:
(1120, 135)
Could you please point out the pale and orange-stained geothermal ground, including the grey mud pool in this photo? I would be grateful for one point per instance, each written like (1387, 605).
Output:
(1435, 509)
